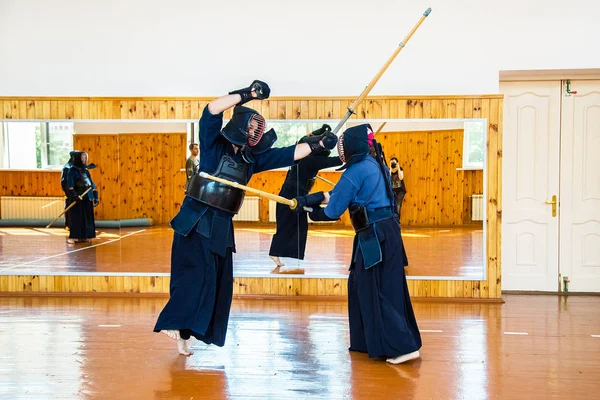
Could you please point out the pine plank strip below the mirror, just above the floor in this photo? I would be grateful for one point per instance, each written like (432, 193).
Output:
(258, 287)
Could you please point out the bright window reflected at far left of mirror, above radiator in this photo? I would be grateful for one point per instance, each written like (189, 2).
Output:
(35, 145)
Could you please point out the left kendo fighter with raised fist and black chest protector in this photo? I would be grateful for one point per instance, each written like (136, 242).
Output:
(201, 257)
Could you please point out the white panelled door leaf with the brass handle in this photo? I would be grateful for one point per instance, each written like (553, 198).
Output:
(530, 178)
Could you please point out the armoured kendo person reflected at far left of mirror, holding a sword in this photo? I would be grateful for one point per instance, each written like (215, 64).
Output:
(81, 216)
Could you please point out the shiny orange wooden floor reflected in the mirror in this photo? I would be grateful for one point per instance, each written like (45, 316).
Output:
(455, 252)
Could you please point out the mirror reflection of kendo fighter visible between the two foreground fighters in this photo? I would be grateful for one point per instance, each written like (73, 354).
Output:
(292, 228)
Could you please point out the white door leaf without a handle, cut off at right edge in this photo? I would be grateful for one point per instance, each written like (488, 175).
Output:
(580, 188)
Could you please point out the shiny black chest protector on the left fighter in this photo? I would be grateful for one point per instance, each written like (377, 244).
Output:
(217, 194)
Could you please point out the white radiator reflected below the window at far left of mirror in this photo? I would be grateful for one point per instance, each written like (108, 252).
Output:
(22, 207)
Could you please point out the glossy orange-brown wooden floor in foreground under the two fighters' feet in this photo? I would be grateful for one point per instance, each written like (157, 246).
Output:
(531, 347)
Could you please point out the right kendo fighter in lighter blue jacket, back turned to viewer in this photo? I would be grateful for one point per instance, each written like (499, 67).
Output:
(381, 317)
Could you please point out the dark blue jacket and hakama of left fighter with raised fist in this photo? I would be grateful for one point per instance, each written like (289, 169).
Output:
(201, 257)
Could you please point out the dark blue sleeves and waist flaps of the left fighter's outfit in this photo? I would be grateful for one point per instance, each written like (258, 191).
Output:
(208, 221)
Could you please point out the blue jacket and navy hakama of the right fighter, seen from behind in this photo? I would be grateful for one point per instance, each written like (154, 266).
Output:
(381, 318)
